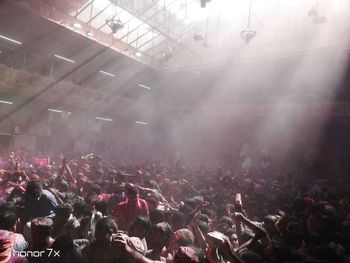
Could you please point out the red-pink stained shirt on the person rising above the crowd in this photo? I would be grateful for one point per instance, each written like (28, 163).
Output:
(126, 213)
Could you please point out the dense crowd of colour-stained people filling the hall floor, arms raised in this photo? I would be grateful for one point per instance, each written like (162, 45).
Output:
(89, 210)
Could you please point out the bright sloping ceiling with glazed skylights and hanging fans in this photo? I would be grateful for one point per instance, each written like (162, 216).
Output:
(172, 35)
